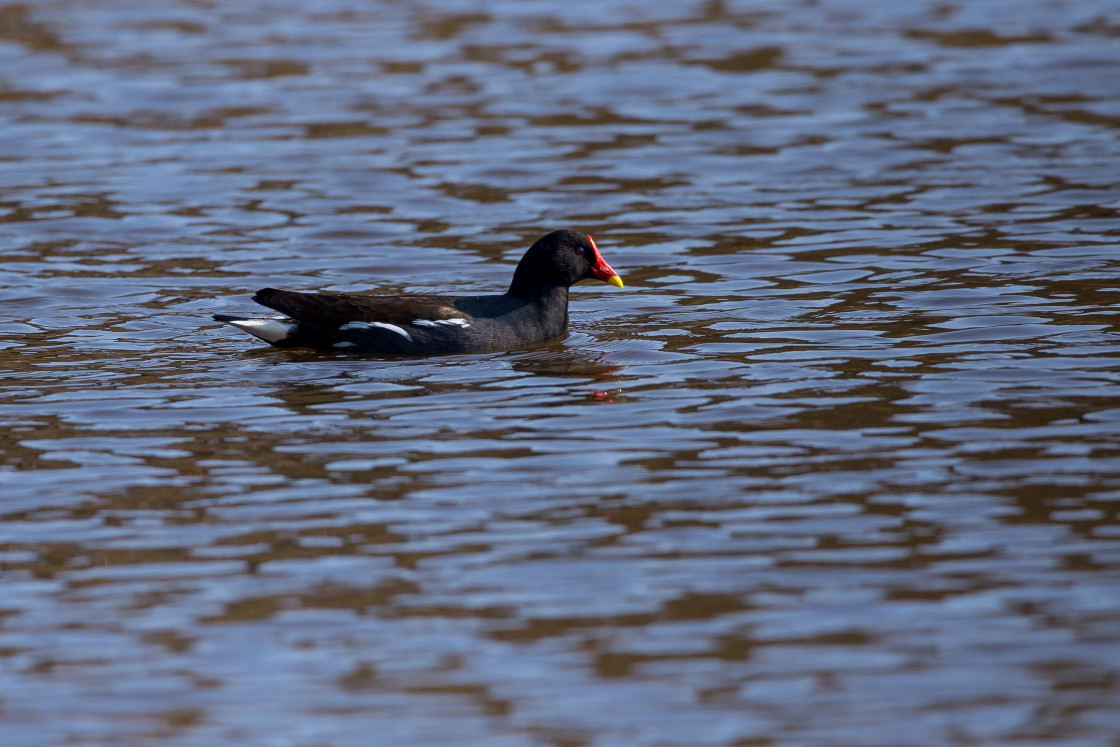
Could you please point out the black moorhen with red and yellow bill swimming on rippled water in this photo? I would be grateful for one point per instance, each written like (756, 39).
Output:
(534, 311)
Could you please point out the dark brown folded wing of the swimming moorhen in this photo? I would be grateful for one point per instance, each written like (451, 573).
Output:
(333, 311)
